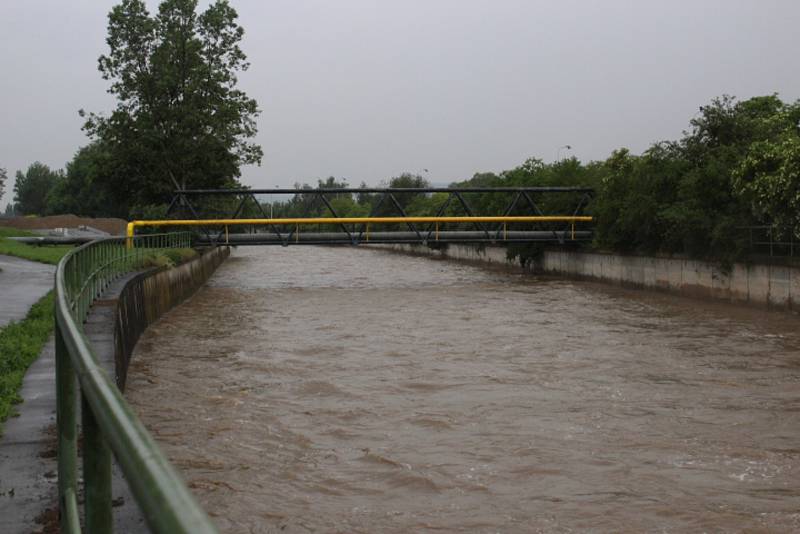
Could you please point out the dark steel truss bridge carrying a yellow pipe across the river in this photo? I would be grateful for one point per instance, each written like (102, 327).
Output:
(237, 217)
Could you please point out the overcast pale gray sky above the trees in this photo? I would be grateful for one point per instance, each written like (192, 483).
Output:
(368, 89)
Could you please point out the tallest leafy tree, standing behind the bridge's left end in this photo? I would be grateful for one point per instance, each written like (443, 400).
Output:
(180, 120)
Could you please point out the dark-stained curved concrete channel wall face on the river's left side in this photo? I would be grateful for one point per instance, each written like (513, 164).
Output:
(149, 295)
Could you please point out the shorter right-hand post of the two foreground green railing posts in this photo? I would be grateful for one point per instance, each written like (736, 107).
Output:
(96, 473)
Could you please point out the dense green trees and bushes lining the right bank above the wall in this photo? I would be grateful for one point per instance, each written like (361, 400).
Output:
(737, 165)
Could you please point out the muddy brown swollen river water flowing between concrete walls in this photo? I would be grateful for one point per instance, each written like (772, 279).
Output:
(353, 390)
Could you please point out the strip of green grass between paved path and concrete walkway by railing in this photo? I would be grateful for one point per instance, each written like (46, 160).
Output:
(20, 344)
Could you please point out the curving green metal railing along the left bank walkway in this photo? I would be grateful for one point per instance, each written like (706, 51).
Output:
(108, 422)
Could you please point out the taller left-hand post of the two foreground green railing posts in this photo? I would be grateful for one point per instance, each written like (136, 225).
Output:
(66, 424)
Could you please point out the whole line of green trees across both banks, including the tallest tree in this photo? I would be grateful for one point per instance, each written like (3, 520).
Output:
(182, 122)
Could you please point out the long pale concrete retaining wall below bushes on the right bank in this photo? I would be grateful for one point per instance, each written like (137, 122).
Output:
(767, 286)
